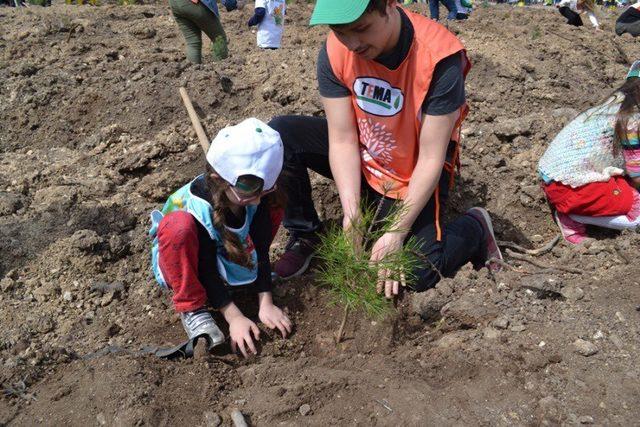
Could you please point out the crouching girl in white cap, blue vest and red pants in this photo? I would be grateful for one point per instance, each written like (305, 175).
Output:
(216, 231)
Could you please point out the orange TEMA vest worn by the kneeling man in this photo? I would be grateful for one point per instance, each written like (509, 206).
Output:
(388, 103)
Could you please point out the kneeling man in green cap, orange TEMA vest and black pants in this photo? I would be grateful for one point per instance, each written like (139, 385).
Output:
(392, 86)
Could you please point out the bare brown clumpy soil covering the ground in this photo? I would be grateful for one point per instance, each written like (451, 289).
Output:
(94, 136)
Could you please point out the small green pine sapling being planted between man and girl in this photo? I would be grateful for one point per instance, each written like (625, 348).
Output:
(346, 268)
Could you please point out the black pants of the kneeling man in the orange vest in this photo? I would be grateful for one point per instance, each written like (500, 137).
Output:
(306, 145)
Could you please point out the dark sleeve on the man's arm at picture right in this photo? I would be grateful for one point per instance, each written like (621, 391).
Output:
(446, 91)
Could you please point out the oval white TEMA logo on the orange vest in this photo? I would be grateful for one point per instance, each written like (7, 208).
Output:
(377, 96)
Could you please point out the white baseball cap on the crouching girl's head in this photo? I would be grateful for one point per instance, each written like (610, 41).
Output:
(249, 148)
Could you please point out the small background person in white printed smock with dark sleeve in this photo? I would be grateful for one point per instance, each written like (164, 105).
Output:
(269, 17)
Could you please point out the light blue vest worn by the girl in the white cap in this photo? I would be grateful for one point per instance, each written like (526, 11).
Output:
(200, 209)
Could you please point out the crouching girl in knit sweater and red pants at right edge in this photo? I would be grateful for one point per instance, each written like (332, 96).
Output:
(591, 170)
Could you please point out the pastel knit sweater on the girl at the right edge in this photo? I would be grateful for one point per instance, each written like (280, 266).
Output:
(584, 151)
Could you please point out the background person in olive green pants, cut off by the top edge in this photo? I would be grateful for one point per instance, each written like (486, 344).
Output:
(195, 17)
